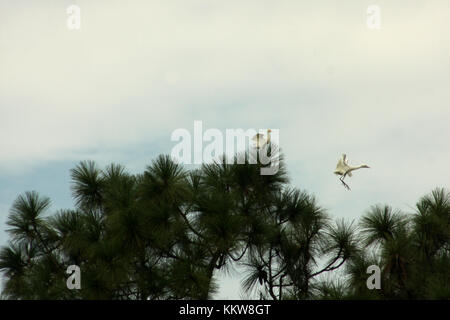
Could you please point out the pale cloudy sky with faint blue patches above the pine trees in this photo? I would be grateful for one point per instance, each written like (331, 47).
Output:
(115, 90)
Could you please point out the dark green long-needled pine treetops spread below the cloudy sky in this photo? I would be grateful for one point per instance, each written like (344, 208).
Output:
(164, 234)
